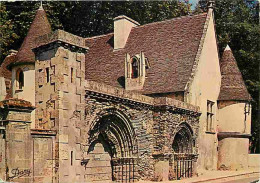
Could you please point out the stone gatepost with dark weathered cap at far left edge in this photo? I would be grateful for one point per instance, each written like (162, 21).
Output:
(15, 142)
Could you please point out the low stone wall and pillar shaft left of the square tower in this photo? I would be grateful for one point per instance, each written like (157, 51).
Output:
(26, 155)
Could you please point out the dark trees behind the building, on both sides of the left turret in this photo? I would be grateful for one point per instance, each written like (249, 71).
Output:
(87, 18)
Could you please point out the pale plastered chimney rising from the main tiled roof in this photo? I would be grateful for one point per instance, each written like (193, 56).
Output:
(122, 28)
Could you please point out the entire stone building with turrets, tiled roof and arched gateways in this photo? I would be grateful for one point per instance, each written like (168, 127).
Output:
(146, 102)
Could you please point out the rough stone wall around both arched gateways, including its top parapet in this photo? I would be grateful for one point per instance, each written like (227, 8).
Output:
(155, 122)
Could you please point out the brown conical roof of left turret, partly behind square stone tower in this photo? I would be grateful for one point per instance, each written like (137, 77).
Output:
(40, 26)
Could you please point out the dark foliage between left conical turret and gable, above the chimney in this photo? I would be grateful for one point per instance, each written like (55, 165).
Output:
(97, 17)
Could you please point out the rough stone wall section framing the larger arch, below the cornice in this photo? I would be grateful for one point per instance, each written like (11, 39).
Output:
(141, 119)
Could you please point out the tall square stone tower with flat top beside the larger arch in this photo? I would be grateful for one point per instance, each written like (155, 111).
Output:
(60, 77)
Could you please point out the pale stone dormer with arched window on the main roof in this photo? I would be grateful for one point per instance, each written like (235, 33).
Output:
(135, 71)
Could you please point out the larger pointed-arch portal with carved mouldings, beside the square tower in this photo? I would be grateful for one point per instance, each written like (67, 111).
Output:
(112, 149)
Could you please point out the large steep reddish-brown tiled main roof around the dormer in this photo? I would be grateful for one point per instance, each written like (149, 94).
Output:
(170, 46)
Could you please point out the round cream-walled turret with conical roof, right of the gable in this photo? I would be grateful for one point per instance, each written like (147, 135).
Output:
(234, 115)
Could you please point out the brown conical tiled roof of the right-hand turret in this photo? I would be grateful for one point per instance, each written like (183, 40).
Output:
(232, 83)
